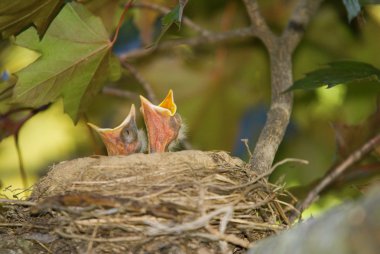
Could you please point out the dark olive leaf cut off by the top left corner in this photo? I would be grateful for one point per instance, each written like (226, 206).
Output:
(15, 15)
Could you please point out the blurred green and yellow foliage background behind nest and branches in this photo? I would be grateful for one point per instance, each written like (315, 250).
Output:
(222, 92)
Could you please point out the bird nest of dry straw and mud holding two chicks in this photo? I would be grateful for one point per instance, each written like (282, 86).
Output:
(182, 202)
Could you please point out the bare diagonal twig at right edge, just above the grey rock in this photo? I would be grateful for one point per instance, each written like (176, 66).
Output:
(348, 162)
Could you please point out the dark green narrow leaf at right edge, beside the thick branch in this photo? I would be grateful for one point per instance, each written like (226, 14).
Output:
(341, 72)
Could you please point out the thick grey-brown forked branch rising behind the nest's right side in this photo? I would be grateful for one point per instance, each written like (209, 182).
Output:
(280, 53)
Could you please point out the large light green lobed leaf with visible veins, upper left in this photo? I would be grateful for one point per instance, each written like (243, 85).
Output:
(75, 61)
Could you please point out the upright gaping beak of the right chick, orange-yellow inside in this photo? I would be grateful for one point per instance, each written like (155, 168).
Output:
(162, 122)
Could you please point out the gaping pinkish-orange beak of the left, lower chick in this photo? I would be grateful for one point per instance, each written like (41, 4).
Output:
(123, 139)
